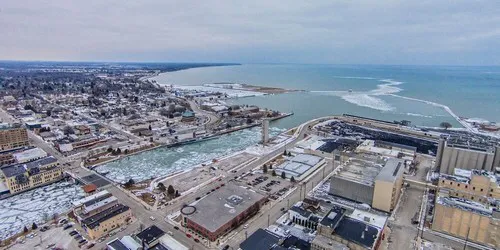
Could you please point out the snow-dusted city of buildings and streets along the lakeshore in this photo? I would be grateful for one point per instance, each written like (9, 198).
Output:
(337, 182)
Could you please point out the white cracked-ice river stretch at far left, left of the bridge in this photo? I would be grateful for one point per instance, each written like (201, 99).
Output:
(35, 206)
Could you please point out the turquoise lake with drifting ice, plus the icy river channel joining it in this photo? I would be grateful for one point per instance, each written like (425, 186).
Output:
(372, 91)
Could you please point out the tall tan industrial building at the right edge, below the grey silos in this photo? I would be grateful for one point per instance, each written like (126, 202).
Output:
(468, 206)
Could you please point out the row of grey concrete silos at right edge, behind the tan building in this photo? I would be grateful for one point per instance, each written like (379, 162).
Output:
(450, 156)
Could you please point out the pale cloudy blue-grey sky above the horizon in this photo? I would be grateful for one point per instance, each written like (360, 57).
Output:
(449, 32)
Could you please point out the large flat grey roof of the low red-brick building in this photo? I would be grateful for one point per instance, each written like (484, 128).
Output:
(222, 205)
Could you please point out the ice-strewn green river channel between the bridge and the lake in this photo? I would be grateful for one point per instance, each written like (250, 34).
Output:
(163, 161)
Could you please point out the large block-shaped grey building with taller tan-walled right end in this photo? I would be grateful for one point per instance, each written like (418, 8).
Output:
(369, 182)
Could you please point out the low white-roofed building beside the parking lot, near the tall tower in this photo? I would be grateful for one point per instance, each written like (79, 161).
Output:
(300, 166)
